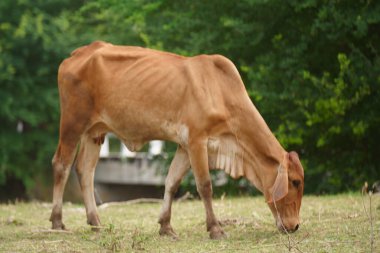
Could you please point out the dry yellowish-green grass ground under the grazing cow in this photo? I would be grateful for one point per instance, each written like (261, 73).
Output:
(329, 224)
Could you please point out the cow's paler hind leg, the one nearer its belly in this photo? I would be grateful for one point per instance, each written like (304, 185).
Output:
(87, 159)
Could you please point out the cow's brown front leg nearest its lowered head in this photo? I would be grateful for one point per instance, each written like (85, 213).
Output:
(199, 163)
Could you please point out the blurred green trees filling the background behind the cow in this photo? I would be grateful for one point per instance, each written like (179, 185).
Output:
(311, 67)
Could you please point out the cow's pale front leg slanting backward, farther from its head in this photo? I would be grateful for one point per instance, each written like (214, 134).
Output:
(178, 168)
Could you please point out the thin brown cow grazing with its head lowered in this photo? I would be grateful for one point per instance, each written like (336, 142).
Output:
(198, 102)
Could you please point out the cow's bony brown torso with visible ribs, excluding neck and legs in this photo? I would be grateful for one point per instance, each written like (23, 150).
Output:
(142, 94)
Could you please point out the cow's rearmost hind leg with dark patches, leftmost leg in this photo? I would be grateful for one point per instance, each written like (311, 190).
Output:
(62, 161)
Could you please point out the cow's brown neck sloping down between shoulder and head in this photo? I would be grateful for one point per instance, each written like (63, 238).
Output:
(262, 153)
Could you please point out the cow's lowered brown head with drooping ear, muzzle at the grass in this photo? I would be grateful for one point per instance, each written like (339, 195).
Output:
(286, 193)
